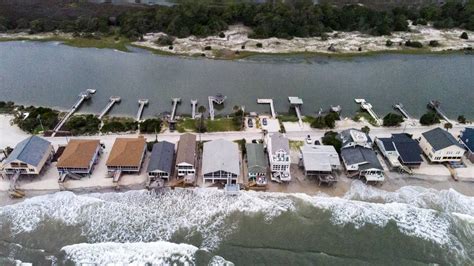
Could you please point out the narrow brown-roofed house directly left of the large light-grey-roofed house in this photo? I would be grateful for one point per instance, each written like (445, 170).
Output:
(186, 155)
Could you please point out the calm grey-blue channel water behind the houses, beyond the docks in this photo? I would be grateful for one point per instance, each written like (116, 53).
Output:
(52, 74)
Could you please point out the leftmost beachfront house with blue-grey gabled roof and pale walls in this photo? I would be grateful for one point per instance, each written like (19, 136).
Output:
(29, 157)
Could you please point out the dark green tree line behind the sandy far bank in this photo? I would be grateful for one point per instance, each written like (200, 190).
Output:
(295, 18)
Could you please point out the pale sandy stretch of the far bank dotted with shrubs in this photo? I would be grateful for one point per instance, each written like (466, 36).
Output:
(342, 42)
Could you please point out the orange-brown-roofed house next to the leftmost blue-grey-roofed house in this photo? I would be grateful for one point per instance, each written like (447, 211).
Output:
(79, 157)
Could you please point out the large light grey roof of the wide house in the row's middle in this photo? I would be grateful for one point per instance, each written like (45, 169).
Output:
(220, 155)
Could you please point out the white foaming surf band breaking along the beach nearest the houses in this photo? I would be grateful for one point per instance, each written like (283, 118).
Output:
(442, 217)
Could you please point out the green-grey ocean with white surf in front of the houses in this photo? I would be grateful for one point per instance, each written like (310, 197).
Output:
(411, 226)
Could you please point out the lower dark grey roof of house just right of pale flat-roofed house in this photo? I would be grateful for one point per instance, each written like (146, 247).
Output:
(364, 157)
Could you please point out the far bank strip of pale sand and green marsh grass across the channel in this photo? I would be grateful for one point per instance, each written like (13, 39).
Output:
(345, 44)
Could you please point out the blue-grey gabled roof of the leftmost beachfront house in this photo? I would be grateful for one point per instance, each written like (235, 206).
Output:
(30, 151)
